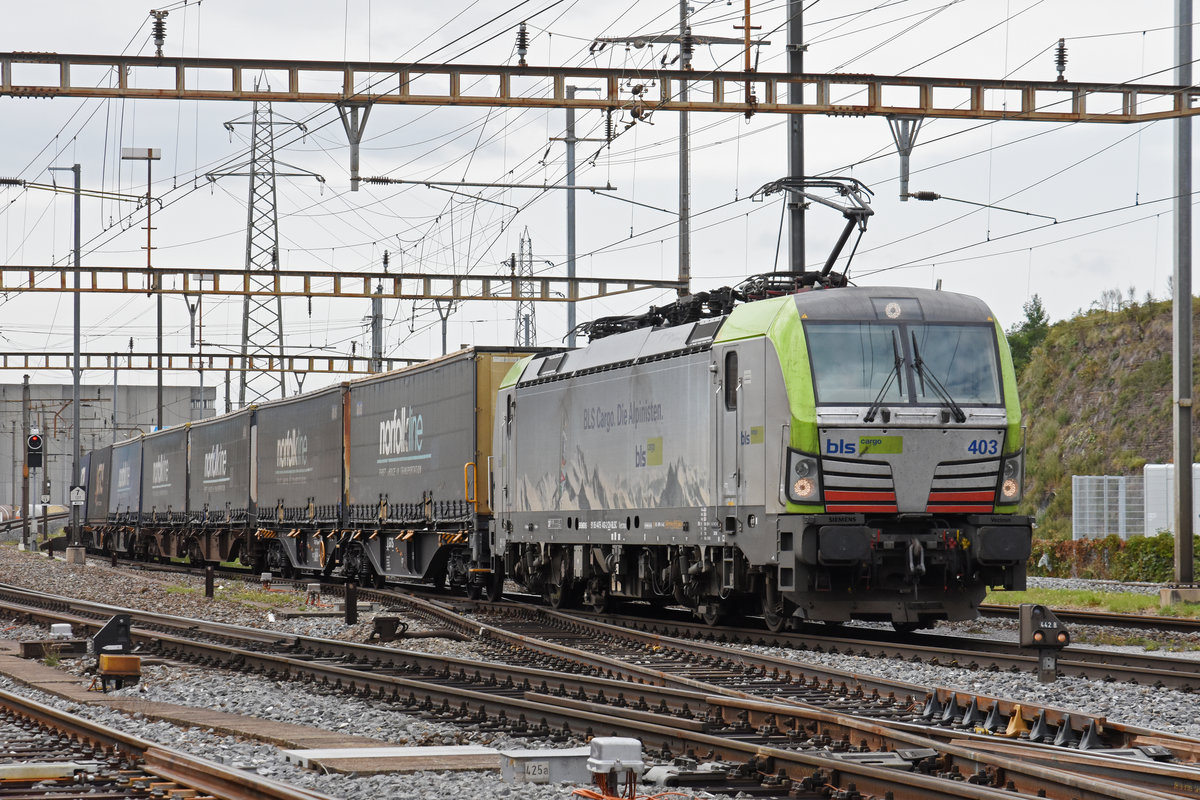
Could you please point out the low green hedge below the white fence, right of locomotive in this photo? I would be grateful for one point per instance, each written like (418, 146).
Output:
(1138, 560)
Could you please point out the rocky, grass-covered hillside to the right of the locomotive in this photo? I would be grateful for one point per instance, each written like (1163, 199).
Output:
(1096, 398)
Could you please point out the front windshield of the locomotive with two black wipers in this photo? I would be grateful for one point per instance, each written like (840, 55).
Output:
(853, 363)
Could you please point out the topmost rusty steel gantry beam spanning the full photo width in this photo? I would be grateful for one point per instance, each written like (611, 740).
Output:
(637, 92)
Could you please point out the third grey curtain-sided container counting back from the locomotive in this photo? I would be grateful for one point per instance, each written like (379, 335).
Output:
(219, 467)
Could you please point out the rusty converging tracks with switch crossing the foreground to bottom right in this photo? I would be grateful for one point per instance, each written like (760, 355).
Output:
(878, 743)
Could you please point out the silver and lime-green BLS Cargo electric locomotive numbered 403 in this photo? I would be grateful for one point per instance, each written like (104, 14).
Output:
(829, 455)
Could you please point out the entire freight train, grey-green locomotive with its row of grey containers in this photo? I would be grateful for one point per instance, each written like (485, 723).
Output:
(830, 454)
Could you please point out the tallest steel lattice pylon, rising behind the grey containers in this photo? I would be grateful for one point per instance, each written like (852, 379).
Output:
(262, 317)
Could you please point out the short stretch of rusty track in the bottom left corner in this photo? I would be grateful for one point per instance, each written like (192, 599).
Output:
(46, 753)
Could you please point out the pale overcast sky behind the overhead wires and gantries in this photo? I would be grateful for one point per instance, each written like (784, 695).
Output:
(1107, 185)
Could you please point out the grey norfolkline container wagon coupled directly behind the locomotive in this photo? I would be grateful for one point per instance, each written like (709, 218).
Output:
(417, 464)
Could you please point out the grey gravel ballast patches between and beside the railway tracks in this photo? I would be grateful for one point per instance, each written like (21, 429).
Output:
(1137, 706)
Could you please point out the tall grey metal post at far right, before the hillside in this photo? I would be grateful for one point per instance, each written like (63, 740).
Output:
(1185, 573)
